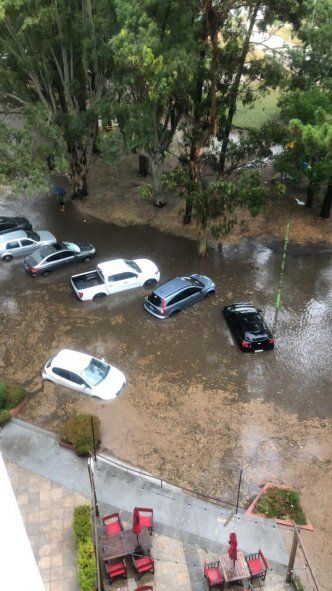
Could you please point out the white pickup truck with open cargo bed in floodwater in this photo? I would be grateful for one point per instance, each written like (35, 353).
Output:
(113, 277)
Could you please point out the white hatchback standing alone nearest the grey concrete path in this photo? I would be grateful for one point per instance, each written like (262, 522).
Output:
(84, 373)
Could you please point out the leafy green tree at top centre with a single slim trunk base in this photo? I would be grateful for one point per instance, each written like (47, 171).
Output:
(155, 57)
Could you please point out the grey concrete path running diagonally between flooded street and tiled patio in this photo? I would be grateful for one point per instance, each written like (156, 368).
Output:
(176, 514)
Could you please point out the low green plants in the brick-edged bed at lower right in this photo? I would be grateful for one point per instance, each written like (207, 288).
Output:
(281, 503)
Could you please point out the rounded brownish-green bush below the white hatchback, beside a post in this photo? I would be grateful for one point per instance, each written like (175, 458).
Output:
(77, 431)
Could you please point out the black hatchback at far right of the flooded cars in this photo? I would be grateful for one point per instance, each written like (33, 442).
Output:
(248, 327)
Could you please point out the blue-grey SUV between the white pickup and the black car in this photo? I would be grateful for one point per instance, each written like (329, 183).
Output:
(177, 294)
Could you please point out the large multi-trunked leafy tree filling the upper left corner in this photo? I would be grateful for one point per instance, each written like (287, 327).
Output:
(55, 62)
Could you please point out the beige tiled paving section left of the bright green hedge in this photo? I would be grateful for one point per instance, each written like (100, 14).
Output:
(47, 511)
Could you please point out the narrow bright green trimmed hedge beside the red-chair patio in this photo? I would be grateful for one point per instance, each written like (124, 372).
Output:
(86, 559)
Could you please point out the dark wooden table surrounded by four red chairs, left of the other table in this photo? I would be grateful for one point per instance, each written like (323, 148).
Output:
(124, 543)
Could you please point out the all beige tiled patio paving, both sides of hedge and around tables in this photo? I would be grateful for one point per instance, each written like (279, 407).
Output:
(47, 510)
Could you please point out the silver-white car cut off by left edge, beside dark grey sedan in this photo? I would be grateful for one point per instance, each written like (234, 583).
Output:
(22, 242)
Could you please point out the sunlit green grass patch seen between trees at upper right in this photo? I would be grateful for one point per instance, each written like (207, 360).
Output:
(264, 108)
